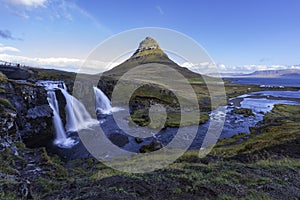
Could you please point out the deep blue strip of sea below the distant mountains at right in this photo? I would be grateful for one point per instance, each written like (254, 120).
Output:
(286, 81)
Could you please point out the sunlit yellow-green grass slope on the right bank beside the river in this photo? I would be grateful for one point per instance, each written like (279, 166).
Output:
(281, 125)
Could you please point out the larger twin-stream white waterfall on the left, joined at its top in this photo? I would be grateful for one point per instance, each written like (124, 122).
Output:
(77, 117)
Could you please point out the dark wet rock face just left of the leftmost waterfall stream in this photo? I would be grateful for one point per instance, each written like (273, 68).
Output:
(33, 114)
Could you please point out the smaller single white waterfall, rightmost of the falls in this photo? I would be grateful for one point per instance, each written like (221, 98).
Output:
(102, 102)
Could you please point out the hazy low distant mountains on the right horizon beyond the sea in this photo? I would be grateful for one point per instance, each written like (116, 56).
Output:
(266, 74)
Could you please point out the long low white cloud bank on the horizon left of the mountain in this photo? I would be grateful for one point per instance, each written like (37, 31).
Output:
(67, 64)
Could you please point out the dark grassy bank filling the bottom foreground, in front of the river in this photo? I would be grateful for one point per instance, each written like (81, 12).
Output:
(262, 165)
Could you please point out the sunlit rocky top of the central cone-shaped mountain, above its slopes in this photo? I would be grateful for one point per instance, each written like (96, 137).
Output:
(148, 46)
